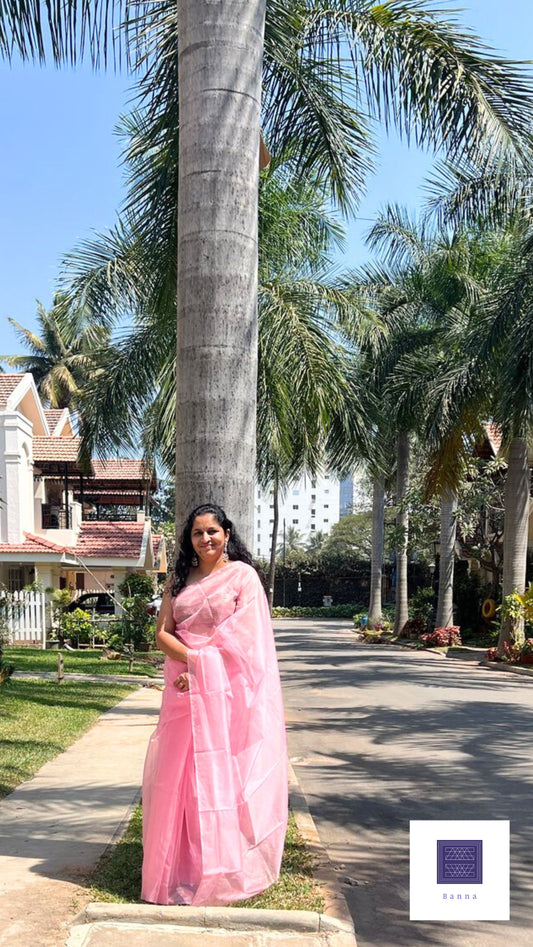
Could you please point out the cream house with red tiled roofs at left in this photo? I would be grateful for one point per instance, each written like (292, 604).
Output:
(64, 523)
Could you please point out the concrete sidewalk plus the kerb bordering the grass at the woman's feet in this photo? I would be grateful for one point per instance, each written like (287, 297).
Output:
(55, 827)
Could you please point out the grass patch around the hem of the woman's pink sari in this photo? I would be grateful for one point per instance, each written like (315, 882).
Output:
(118, 875)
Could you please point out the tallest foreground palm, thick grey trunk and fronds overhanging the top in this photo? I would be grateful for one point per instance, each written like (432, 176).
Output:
(410, 66)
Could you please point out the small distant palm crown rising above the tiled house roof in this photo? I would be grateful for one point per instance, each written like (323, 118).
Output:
(62, 356)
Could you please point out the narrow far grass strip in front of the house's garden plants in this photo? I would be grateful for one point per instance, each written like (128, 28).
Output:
(87, 661)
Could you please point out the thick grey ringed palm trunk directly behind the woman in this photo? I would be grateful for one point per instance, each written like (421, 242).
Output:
(220, 59)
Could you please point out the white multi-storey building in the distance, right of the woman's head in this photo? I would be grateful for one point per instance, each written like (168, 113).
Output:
(310, 505)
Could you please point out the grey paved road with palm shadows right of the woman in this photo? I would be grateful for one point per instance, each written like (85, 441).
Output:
(379, 736)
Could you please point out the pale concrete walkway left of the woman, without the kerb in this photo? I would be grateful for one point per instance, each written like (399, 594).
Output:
(55, 827)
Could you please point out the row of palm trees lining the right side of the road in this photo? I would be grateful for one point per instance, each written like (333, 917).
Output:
(462, 301)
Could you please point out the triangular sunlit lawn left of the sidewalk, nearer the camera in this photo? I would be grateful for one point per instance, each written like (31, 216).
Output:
(39, 719)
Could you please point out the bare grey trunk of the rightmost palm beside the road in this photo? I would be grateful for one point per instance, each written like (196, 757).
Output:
(516, 521)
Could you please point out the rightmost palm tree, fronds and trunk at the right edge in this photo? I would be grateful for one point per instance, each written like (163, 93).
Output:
(495, 371)
